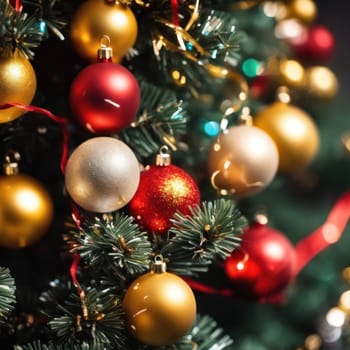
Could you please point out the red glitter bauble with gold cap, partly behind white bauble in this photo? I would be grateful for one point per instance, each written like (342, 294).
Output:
(164, 189)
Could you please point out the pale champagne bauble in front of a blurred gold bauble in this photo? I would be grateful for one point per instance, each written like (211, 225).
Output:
(242, 161)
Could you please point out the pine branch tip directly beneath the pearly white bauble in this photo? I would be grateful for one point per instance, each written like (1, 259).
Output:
(113, 244)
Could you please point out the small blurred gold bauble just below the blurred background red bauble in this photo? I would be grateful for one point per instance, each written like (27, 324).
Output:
(321, 83)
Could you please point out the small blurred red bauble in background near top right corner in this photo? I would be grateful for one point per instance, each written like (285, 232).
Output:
(316, 44)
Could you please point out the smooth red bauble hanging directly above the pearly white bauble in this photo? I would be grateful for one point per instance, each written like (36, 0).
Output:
(105, 97)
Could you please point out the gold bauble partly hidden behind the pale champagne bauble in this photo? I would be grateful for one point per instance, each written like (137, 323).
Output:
(294, 132)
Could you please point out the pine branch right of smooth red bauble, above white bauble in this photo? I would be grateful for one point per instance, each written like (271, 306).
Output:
(162, 121)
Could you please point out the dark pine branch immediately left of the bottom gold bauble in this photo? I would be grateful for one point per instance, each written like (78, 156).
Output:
(103, 323)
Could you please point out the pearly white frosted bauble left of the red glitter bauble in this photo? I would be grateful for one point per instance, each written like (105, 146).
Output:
(102, 174)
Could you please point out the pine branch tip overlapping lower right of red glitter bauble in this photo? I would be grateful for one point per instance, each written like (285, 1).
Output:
(210, 232)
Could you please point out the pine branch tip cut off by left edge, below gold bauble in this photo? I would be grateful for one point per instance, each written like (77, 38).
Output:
(7, 294)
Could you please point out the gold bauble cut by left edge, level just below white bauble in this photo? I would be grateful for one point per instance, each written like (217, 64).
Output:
(26, 211)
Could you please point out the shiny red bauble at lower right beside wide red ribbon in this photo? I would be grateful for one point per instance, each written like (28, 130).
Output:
(263, 265)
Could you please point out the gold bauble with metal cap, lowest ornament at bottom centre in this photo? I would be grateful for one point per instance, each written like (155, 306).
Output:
(160, 307)
